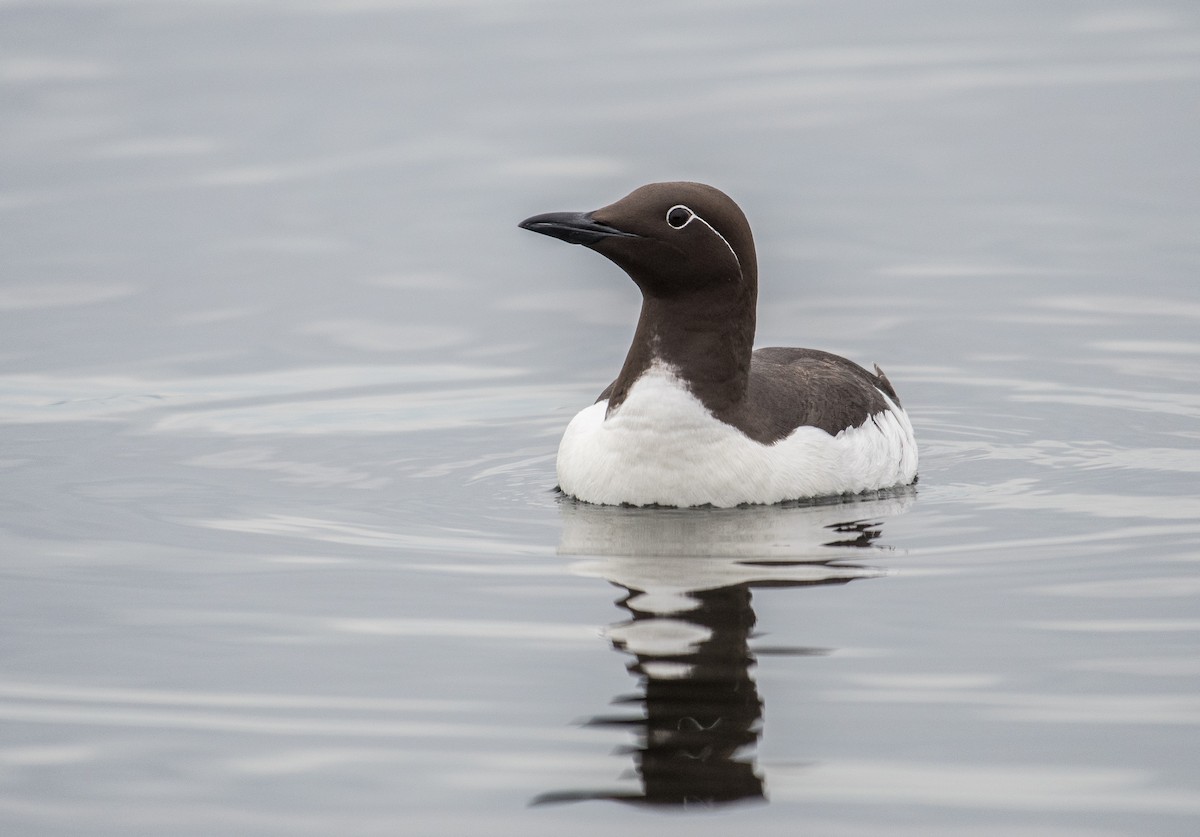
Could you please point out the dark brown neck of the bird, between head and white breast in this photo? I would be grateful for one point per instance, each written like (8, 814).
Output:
(706, 341)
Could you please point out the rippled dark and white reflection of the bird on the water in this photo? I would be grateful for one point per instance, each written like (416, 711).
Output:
(687, 579)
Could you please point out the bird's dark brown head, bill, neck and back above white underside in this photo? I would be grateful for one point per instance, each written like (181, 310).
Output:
(700, 288)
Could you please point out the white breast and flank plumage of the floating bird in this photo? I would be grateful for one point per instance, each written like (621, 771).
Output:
(663, 447)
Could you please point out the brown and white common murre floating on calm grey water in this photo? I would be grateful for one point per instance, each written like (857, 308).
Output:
(698, 417)
